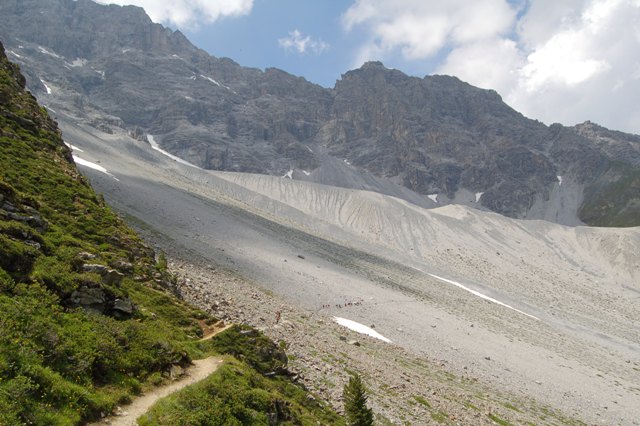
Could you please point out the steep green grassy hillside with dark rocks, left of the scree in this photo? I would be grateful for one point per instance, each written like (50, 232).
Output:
(87, 318)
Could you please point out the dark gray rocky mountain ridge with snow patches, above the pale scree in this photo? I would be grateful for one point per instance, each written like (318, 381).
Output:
(378, 129)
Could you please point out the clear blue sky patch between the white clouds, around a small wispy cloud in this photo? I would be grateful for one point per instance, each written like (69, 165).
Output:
(252, 40)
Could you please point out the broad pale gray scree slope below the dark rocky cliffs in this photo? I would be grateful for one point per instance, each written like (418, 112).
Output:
(312, 246)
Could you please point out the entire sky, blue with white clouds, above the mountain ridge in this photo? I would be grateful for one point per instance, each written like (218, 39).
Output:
(563, 61)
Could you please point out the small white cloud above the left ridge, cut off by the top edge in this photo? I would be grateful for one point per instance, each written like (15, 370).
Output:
(189, 13)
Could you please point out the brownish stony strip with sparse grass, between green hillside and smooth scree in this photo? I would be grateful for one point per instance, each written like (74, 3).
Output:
(405, 389)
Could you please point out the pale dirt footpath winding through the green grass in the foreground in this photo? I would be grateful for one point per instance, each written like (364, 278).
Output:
(127, 417)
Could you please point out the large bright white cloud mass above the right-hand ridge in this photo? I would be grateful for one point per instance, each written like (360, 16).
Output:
(565, 61)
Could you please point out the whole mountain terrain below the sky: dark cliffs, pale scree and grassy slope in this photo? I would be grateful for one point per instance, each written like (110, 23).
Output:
(389, 202)
